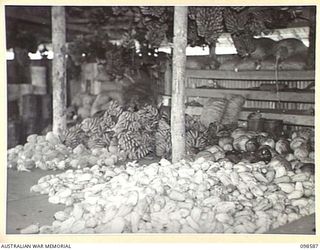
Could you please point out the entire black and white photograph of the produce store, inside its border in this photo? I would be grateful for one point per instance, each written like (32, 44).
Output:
(161, 119)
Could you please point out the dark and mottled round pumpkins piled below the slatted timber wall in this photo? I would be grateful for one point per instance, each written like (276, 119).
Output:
(248, 146)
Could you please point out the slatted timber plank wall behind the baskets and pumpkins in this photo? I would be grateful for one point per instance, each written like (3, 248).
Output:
(294, 104)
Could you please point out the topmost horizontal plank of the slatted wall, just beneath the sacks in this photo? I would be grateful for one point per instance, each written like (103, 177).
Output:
(251, 75)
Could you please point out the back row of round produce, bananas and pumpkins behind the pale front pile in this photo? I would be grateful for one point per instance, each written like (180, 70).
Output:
(119, 134)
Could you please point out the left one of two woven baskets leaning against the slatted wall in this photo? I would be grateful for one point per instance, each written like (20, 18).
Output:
(213, 111)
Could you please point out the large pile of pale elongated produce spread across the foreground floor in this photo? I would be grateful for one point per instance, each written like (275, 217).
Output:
(201, 196)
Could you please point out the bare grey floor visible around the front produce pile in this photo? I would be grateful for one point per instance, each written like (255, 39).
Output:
(25, 208)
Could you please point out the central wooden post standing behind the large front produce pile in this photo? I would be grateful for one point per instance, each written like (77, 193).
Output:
(178, 79)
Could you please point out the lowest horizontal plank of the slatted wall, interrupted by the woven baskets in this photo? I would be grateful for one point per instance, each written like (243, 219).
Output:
(292, 118)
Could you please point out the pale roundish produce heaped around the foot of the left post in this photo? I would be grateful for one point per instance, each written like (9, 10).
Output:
(48, 153)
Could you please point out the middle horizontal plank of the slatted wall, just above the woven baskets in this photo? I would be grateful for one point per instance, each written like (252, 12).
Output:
(292, 96)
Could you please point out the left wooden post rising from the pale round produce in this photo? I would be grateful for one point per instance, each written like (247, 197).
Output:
(59, 69)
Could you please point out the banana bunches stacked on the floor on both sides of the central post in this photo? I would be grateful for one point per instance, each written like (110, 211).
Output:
(136, 132)
